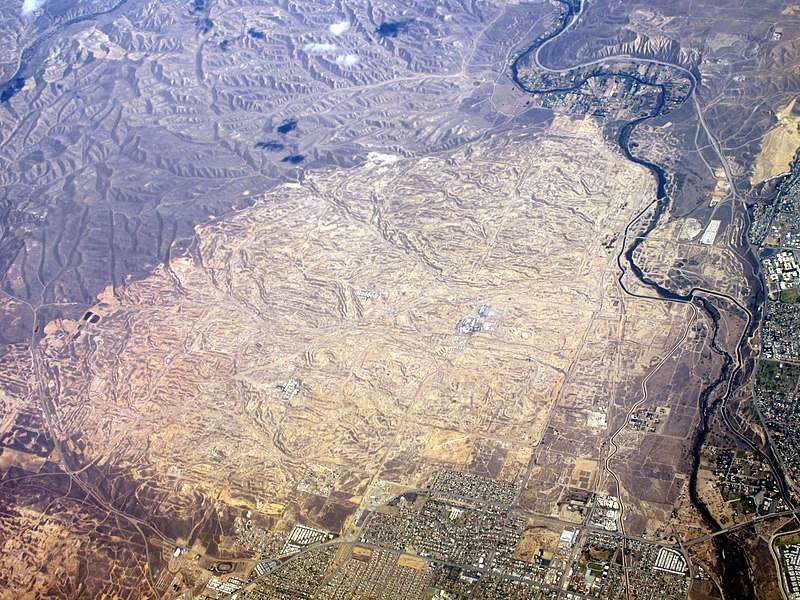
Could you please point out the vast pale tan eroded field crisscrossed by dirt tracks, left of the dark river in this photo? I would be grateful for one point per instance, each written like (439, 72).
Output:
(359, 332)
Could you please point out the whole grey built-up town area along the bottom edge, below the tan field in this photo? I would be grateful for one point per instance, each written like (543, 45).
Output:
(461, 537)
